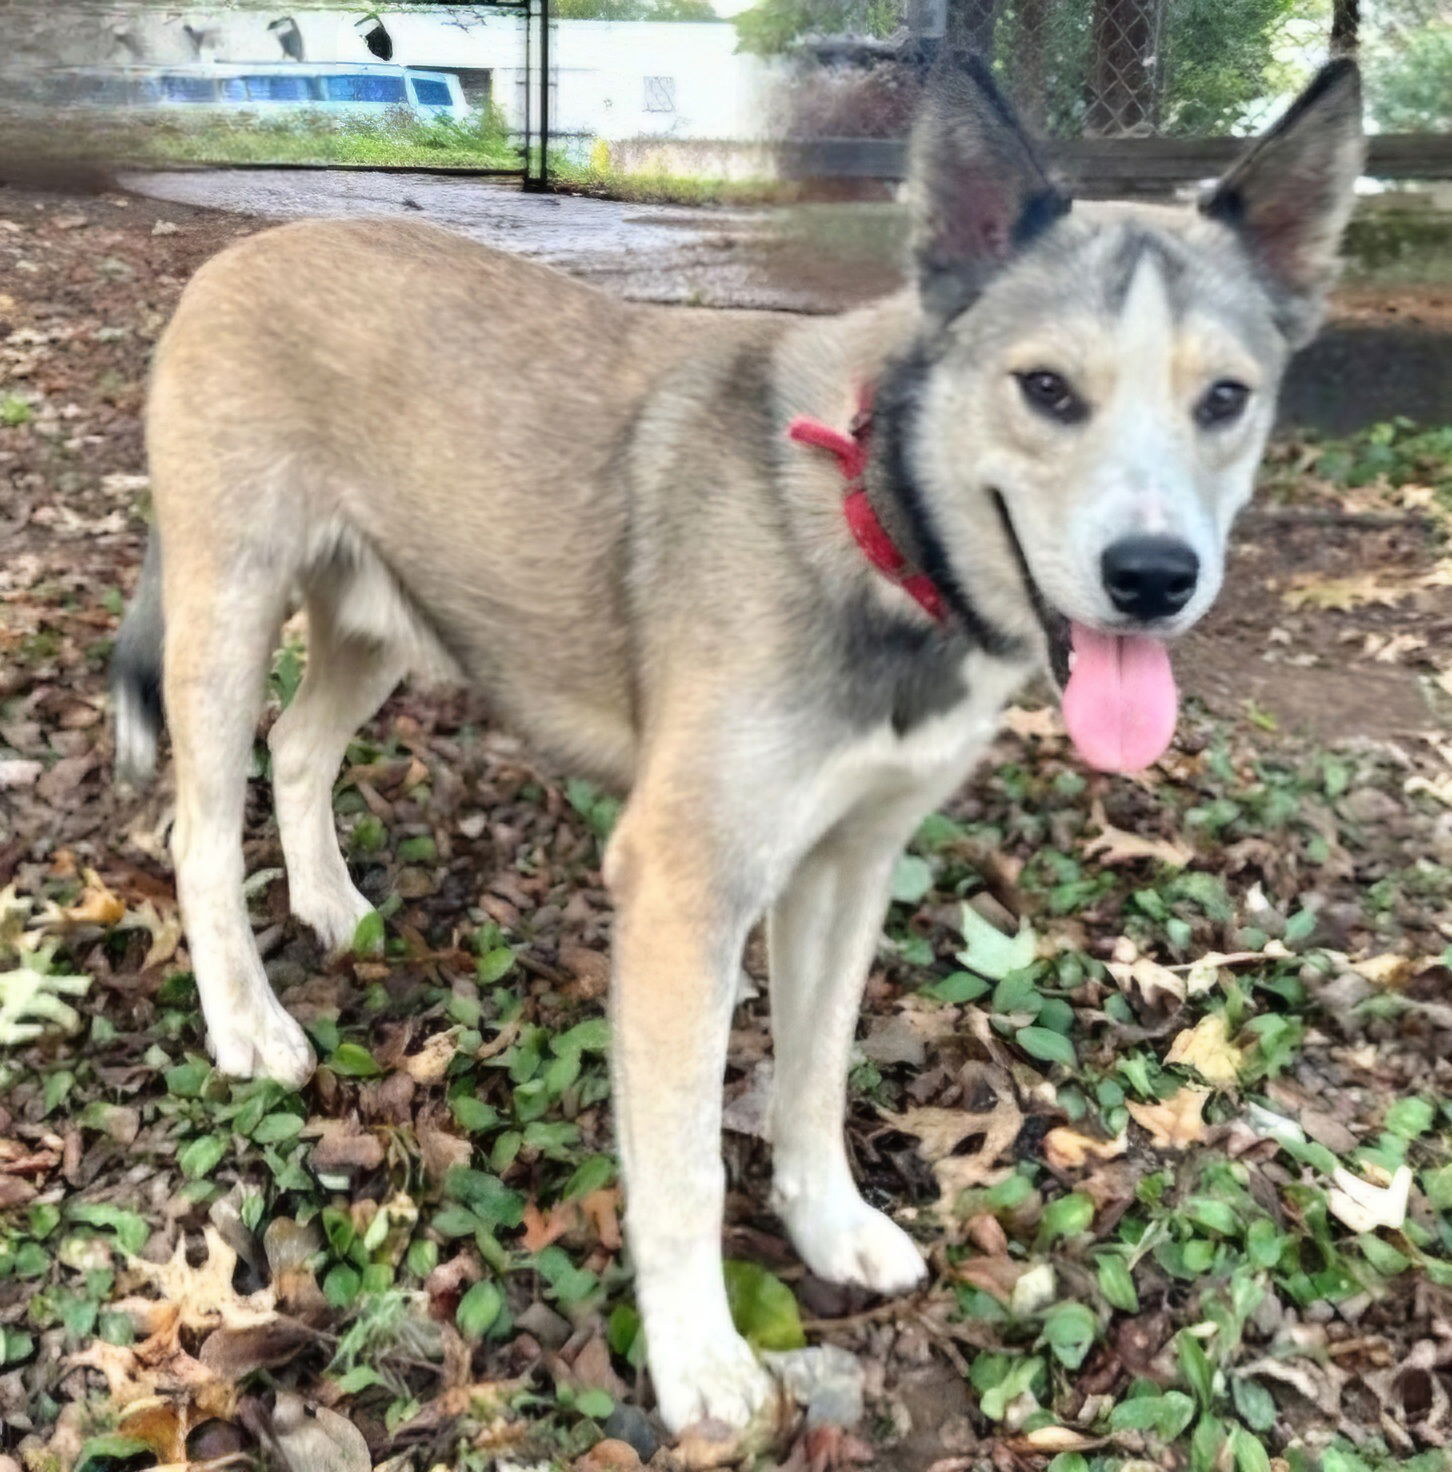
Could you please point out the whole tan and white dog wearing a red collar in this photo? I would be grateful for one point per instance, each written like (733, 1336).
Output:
(774, 578)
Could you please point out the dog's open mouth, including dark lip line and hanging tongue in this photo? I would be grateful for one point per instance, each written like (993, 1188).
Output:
(1118, 691)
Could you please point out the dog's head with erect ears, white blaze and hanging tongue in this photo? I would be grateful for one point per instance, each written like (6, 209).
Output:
(1092, 386)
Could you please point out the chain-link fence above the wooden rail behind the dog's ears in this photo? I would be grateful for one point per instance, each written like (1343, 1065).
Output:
(1129, 68)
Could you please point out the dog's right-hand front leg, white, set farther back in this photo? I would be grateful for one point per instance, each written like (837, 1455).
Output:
(821, 937)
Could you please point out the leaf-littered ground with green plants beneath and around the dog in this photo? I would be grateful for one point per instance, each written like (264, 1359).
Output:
(1155, 1071)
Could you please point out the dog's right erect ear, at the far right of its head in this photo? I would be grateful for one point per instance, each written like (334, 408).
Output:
(1291, 197)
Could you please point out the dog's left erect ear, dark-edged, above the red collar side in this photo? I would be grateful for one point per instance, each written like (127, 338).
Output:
(977, 189)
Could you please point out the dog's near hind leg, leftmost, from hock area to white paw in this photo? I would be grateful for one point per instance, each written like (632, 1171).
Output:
(223, 618)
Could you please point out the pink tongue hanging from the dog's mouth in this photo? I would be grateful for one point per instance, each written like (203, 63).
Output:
(1120, 703)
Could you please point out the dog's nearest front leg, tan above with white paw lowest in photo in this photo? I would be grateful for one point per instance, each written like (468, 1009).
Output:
(680, 933)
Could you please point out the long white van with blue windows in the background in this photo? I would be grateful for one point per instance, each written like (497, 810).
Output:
(267, 89)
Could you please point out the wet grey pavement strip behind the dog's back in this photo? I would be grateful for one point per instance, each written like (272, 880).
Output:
(647, 252)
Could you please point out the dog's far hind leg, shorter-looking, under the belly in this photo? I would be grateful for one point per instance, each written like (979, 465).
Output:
(348, 678)
